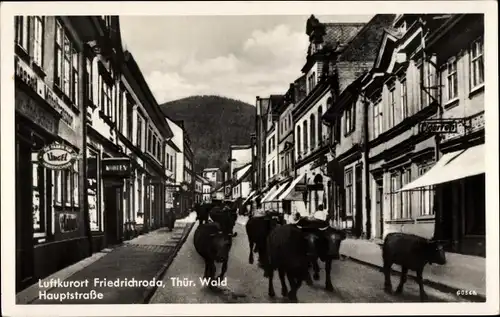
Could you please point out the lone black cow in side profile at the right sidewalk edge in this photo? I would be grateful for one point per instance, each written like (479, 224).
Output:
(412, 252)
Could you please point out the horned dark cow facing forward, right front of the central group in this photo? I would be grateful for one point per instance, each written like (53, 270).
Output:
(323, 242)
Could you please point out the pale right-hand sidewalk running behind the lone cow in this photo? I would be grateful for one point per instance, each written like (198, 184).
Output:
(461, 272)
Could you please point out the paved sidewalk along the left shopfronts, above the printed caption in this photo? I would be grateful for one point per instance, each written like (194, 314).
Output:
(144, 258)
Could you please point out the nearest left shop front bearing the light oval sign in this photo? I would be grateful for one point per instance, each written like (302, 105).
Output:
(50, 226)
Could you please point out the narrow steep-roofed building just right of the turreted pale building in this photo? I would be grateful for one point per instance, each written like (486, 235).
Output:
(345, 120)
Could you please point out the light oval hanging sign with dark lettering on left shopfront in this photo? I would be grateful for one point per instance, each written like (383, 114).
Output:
(57, 156)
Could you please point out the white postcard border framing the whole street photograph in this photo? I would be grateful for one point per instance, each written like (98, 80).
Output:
(8, 10)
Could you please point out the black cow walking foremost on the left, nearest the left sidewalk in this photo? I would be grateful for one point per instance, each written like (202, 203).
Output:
(213, 245)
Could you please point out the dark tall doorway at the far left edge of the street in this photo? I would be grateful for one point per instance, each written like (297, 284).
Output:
(24, 217)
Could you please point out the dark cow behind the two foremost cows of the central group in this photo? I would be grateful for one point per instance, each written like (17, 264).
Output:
(258, 228)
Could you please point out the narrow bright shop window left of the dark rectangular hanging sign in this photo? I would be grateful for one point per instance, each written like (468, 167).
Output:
(93, 190)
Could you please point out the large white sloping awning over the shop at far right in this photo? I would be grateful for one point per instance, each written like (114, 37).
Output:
(452, 166)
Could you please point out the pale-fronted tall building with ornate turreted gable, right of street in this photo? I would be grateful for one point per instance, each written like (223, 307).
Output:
(311, 145)
